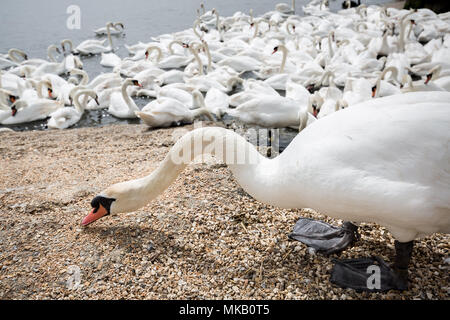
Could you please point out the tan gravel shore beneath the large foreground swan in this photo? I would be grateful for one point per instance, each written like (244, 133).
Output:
(204, 237)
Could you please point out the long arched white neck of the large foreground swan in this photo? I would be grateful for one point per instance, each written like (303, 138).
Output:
(253, 172)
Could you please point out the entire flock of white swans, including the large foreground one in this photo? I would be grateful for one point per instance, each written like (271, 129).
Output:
(366, 86)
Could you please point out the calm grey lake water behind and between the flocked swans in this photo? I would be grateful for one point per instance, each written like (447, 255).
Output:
(34, 25)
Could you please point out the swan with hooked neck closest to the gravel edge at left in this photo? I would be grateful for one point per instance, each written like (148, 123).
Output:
(66, 117)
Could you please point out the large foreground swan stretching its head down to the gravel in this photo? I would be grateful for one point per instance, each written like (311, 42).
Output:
(365, 163)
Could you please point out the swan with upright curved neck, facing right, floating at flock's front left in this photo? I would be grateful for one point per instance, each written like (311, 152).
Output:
(121, 105)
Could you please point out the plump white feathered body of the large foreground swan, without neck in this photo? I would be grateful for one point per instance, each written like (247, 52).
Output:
(384, 160)
